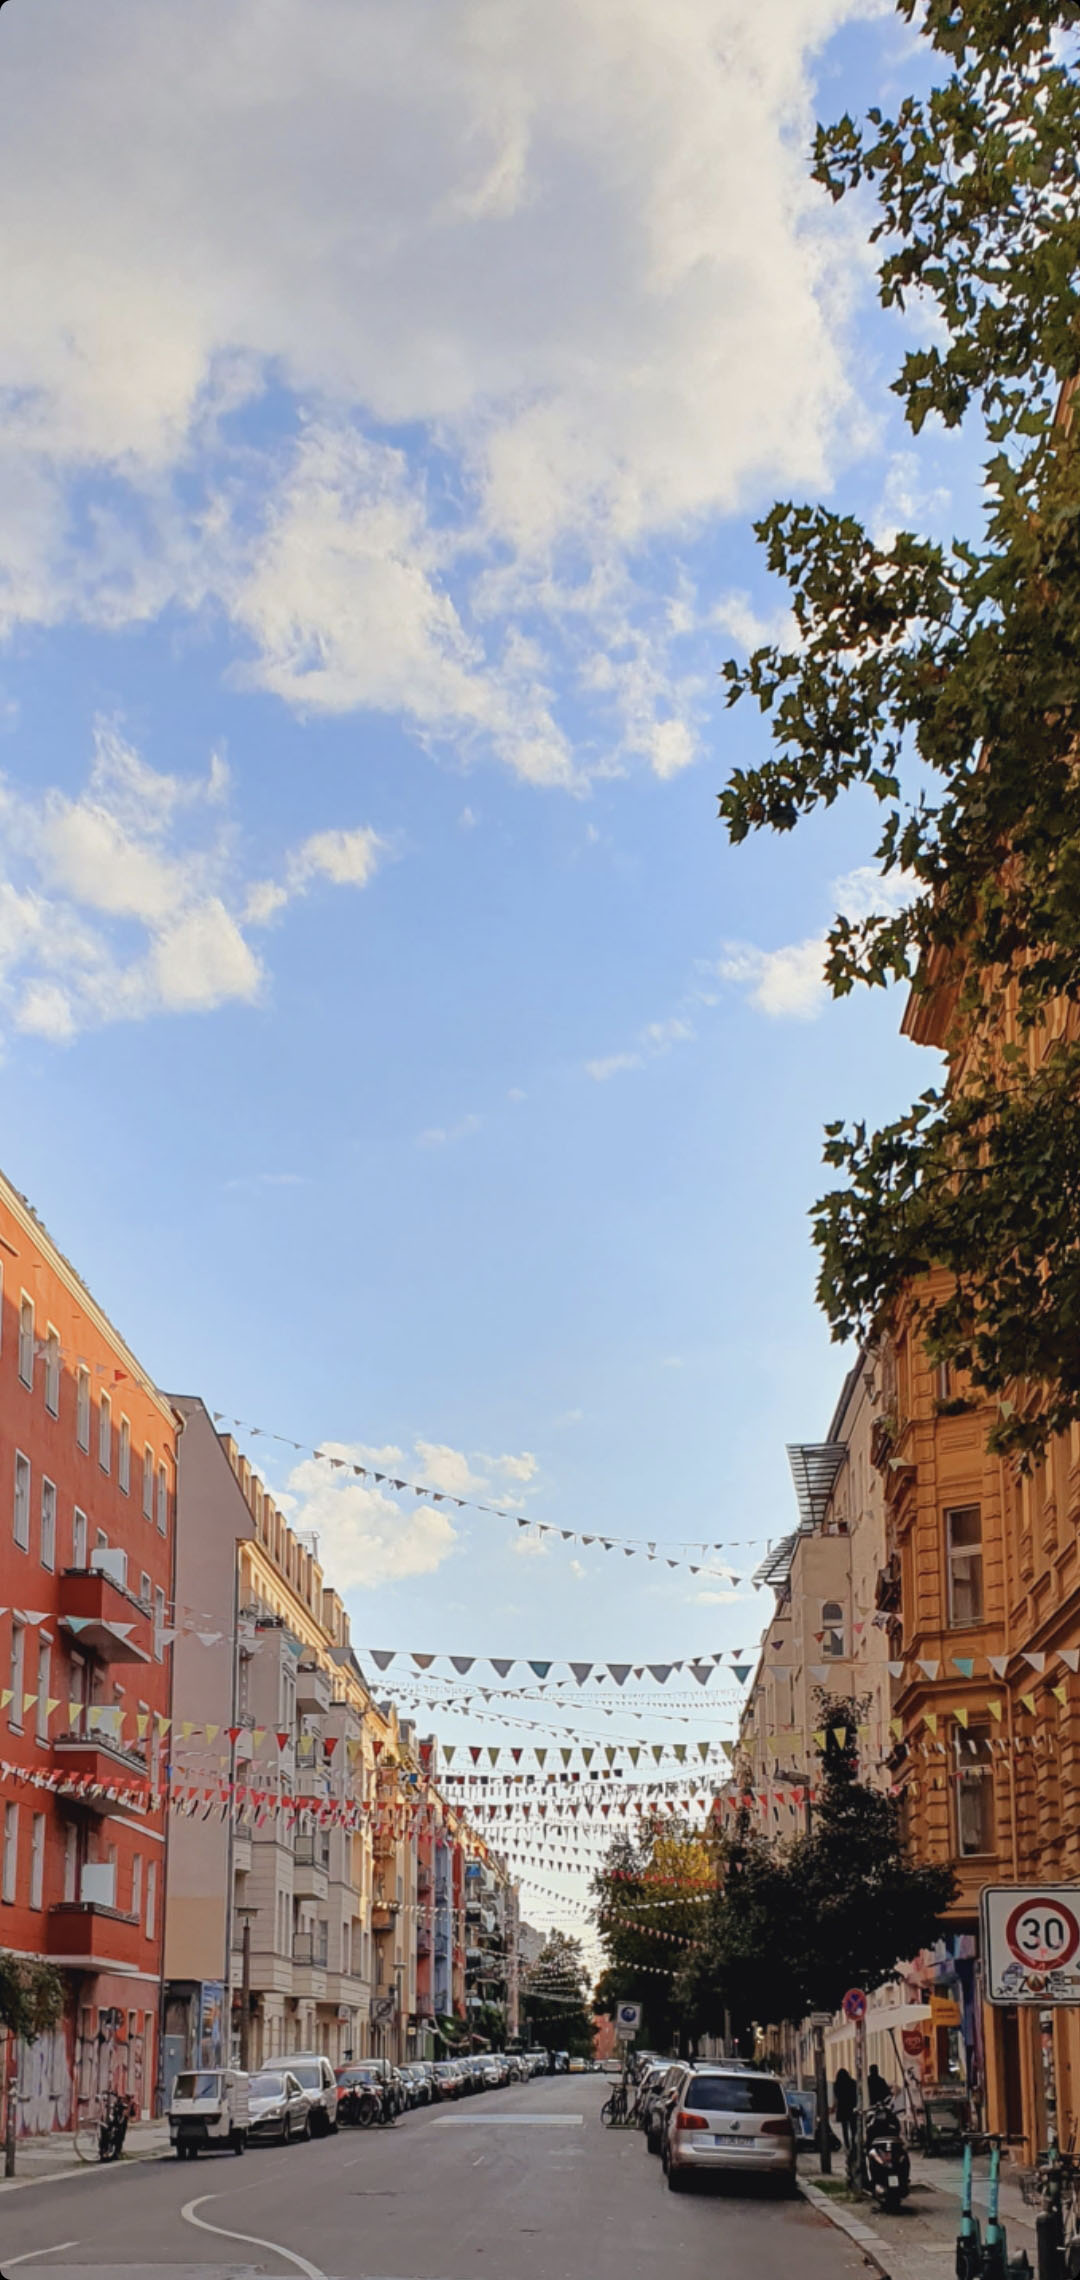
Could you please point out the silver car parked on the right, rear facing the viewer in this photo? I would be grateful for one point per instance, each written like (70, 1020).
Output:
(728, 2119)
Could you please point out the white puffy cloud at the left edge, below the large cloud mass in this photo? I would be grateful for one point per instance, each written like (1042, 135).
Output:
(126, 902)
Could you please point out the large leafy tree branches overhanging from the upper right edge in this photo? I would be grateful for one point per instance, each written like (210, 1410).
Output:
(947, 683)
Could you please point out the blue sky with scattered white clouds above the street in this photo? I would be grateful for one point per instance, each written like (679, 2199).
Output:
(388, 1032)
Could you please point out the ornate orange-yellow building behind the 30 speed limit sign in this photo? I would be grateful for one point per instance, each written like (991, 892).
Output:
(988, 1695)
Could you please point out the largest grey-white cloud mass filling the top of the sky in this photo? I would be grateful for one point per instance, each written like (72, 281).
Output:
(573, 254)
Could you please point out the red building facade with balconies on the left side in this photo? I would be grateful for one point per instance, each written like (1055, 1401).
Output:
(88, 1513)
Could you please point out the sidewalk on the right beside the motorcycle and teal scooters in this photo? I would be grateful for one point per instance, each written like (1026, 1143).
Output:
(919, 2242)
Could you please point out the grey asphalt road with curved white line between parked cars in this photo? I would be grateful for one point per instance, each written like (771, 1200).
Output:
(514, 2185)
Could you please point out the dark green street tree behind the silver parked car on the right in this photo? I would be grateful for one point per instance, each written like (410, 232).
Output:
(794, 1930)
